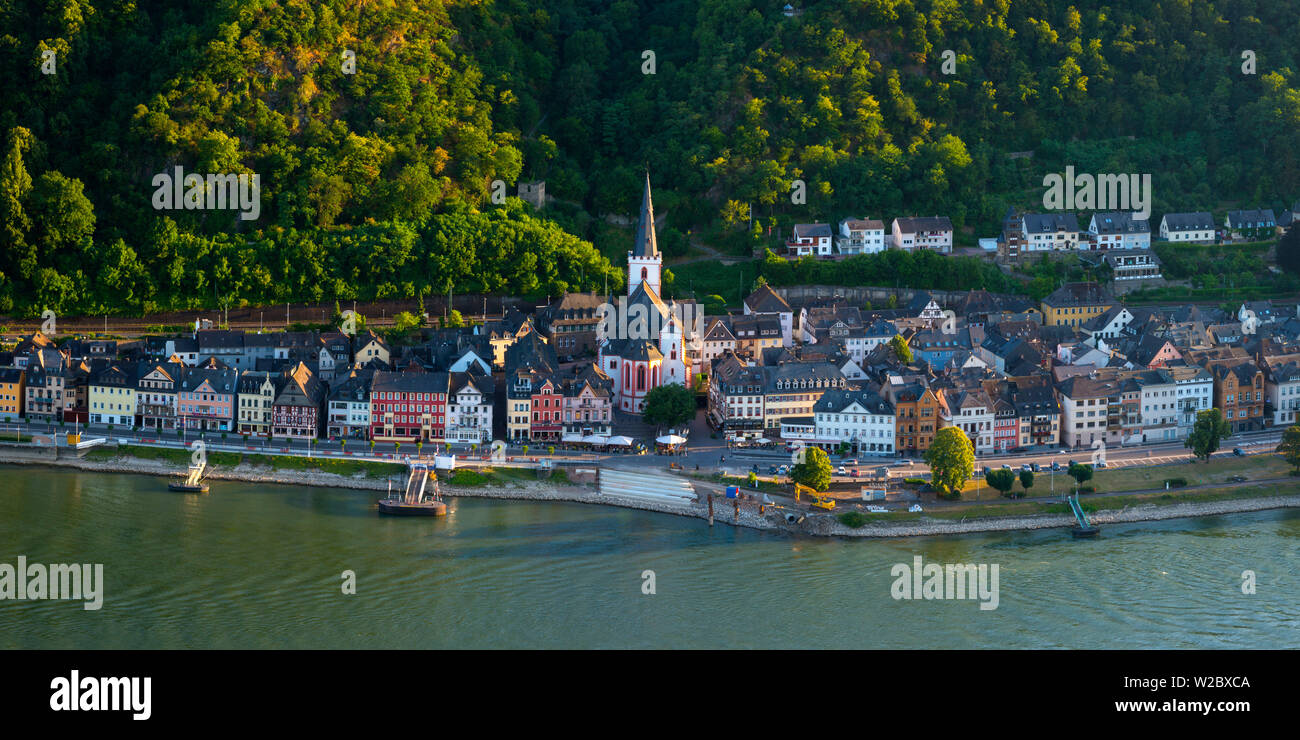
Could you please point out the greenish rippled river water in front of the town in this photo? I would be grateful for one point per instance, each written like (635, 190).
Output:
(261, 566)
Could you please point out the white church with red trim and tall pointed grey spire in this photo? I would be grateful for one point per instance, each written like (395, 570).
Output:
(642, 361)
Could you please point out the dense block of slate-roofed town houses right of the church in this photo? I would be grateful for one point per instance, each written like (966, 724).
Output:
(1076, 371)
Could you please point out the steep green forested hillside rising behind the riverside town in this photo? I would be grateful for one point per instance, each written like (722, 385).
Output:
(376, 184)
